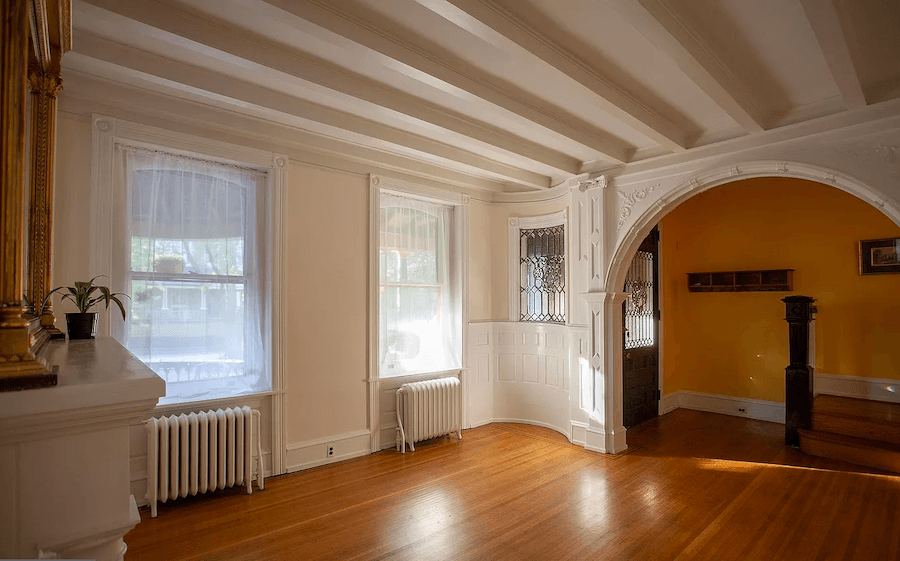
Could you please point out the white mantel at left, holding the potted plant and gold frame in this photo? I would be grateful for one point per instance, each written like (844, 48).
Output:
(64, 453)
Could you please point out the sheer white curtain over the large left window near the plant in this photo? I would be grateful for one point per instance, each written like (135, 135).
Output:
(191, 248)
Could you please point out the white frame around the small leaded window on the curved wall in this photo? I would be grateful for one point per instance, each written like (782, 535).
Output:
(516, 225)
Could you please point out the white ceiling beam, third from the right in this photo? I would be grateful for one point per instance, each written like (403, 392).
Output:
(613, 100)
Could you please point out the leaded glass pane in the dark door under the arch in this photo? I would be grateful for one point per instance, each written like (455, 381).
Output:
(639, 320)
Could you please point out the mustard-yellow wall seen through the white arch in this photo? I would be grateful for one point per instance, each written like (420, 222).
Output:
(736, 344)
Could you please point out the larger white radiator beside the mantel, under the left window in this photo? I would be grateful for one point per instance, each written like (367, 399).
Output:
(200, 452)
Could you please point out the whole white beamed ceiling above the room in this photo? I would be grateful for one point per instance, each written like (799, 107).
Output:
(518, 94)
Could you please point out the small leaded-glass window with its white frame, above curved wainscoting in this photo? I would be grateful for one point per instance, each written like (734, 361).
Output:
(538, 269)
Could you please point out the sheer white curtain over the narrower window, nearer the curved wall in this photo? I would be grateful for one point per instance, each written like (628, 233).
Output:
(420, 305)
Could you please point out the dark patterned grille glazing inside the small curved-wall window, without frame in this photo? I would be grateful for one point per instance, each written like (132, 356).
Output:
(542, 265)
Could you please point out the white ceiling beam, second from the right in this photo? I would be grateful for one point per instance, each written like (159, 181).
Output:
(661, 27)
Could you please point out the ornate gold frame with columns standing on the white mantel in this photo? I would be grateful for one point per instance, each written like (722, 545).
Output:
(45, 26)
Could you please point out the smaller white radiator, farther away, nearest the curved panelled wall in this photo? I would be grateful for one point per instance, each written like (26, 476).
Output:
(427, 410)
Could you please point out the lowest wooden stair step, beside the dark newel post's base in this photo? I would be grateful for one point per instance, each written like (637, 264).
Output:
(860, 451)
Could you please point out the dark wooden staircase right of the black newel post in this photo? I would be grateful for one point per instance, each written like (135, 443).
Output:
(859, 431)
